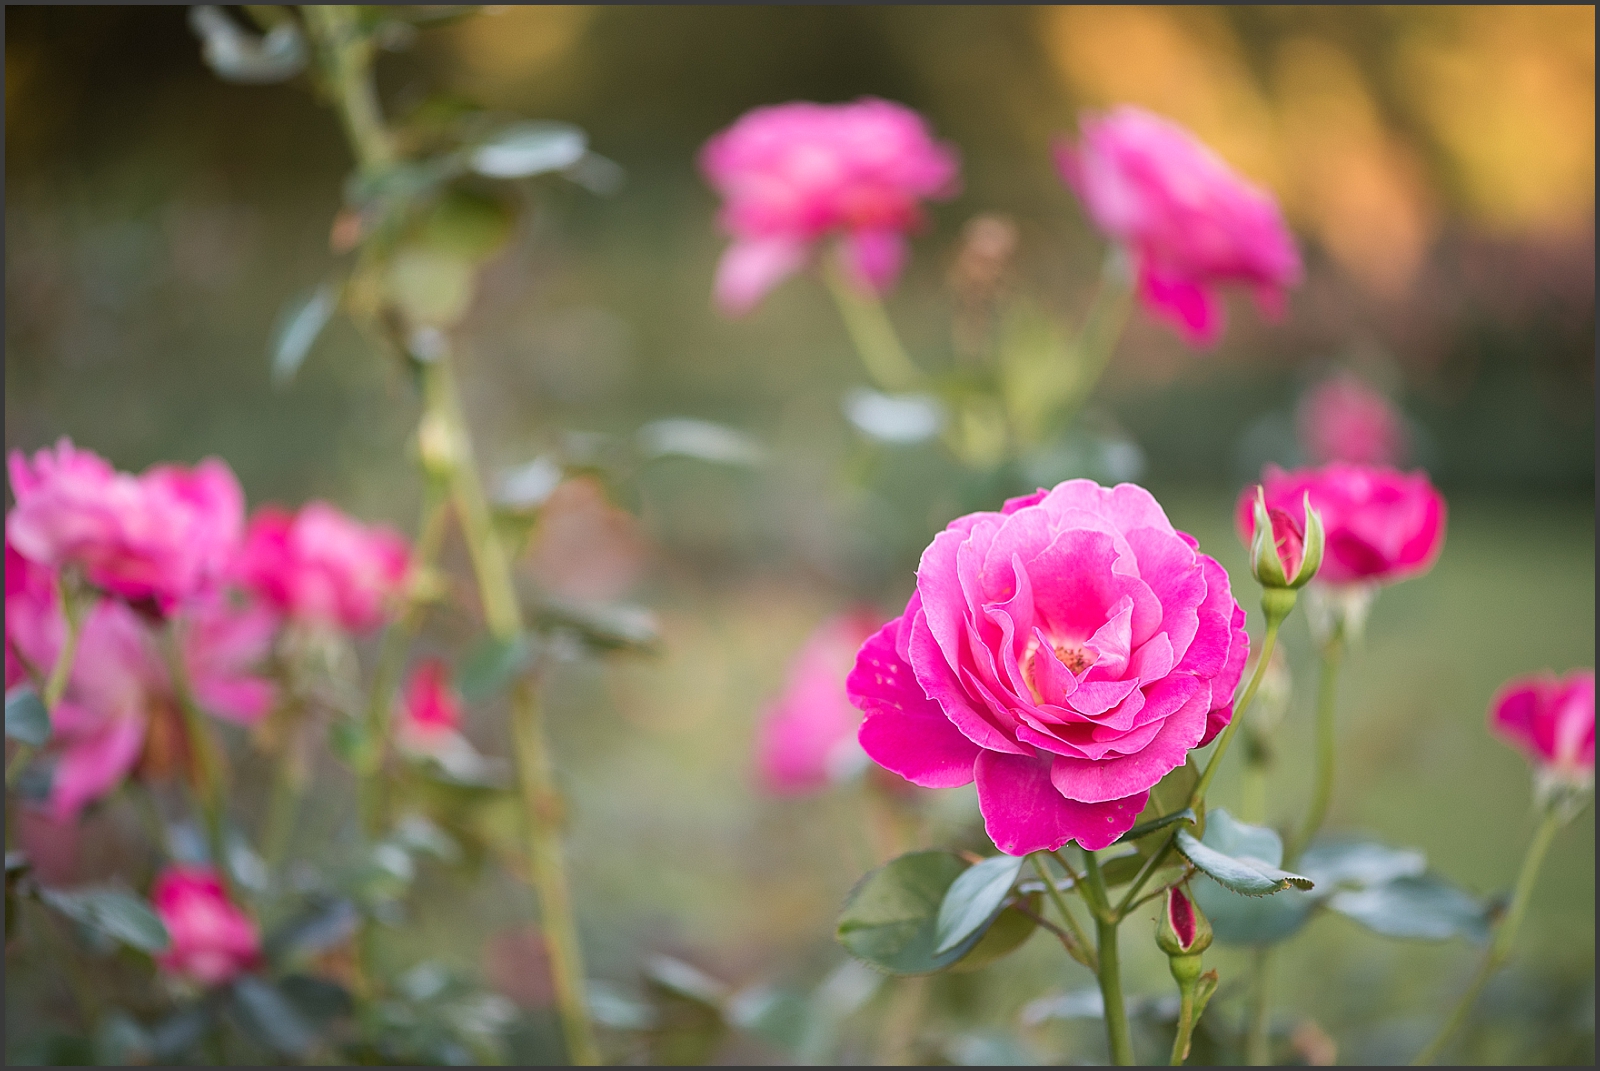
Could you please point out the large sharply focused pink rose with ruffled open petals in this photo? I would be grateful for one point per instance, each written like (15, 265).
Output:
(1066, 654)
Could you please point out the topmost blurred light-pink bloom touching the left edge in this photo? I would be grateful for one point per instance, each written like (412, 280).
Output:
(156, 539)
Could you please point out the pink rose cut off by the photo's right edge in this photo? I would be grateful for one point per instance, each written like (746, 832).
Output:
(1553, 720)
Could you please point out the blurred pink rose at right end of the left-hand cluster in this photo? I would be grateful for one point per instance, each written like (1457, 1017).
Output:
(321, 568)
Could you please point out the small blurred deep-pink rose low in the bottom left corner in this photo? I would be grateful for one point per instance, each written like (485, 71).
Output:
(212, 941)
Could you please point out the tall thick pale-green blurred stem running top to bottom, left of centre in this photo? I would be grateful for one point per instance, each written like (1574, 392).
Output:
(348, 62)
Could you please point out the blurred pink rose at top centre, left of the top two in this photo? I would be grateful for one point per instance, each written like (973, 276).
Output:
(793, 174)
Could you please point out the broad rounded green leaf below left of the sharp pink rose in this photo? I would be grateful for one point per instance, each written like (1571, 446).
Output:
(892, 915)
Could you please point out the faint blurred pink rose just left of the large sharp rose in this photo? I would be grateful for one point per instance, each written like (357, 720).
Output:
(809, 736)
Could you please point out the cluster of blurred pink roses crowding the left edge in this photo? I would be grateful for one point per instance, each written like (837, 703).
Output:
(167, 552)
